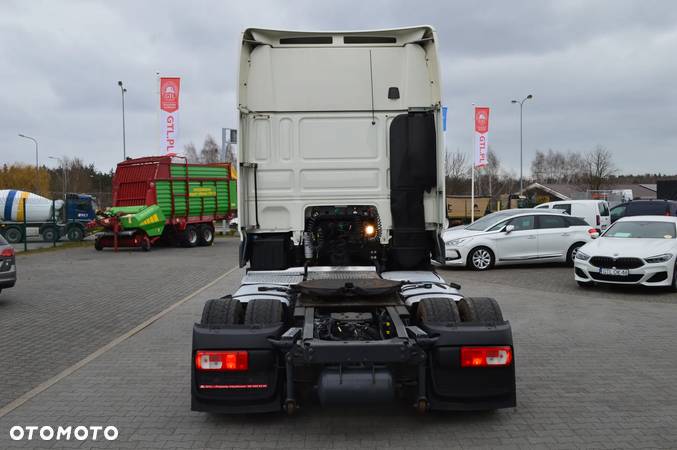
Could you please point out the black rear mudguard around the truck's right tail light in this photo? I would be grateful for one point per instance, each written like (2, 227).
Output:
(452, 387)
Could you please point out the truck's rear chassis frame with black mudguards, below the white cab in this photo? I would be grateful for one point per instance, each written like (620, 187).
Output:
(290, 365)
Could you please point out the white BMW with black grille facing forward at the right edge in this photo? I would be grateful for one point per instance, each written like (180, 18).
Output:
(634, 250)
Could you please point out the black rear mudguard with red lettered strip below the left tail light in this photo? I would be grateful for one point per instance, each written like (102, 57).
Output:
(258, 389)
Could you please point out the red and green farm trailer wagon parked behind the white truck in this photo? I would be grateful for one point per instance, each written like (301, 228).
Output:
(165, 198)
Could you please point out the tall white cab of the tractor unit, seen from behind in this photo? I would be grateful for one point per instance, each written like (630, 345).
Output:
(341, 153)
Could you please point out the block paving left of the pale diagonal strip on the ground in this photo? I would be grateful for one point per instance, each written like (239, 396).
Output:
(68, 303)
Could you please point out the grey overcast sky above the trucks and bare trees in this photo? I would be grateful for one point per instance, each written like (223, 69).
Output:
(601, 72)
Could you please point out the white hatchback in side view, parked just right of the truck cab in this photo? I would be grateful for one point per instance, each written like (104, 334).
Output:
(517, 236)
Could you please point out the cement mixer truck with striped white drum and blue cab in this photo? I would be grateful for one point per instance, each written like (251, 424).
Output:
(20, 210)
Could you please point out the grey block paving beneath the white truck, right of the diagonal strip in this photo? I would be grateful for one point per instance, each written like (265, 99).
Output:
(595, 369)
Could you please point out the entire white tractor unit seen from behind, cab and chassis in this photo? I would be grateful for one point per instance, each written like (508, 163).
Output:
(341, 206)
